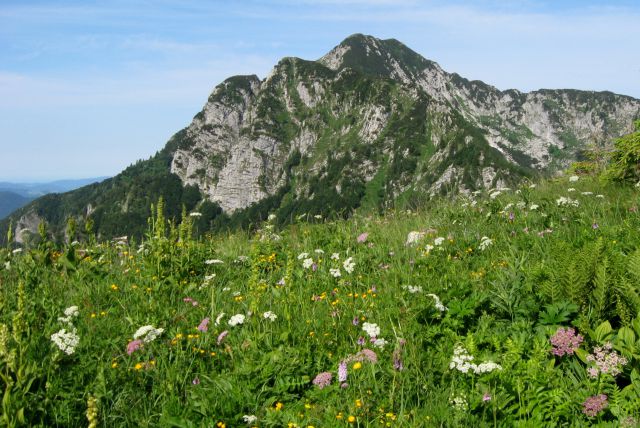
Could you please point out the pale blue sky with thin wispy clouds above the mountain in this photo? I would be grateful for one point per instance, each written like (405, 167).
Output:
(88, 87)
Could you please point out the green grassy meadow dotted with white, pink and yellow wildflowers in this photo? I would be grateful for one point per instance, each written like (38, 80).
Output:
(494, 276)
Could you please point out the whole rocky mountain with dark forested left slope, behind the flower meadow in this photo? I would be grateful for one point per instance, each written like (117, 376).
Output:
(370, 125)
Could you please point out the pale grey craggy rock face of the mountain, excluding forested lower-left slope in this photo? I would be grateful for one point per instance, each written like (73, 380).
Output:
(373, 95)
